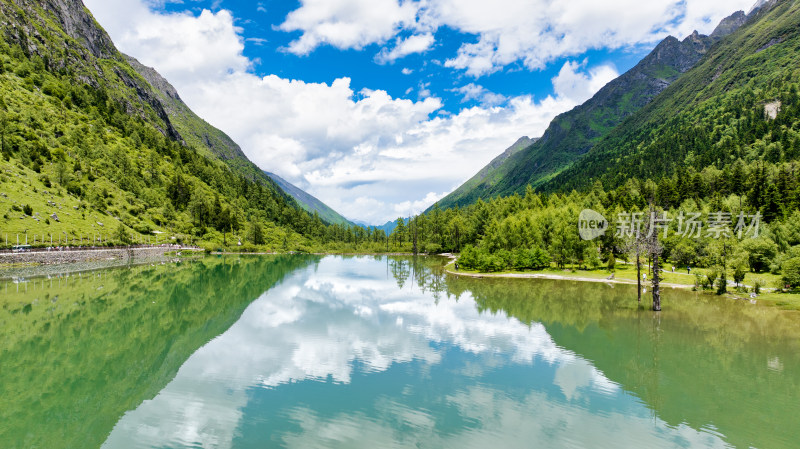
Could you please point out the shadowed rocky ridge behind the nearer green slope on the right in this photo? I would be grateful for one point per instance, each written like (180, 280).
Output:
(572, 134)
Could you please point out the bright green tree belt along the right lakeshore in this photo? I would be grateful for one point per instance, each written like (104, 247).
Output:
(538, 230)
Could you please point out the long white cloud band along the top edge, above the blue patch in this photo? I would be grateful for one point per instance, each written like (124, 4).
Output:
(531, 32)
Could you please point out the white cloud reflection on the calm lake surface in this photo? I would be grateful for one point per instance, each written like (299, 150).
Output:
(323, 323)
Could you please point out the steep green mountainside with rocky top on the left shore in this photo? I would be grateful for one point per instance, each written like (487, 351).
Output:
(96, 146)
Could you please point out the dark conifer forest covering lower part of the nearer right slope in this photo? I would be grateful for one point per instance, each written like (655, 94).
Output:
(718, 134)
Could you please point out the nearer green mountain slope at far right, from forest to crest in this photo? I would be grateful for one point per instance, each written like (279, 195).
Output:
(738, 106)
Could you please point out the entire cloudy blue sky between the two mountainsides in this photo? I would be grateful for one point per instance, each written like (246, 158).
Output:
(381, 107)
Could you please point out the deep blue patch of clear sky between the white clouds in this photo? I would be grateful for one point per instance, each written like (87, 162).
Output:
(266, 45)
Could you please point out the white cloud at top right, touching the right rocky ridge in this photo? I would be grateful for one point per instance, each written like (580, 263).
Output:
(537, 32)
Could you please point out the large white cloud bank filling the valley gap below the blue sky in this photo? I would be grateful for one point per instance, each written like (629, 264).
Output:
(368, 155)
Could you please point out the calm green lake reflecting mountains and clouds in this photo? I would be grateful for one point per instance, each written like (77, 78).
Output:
(307, 351)
